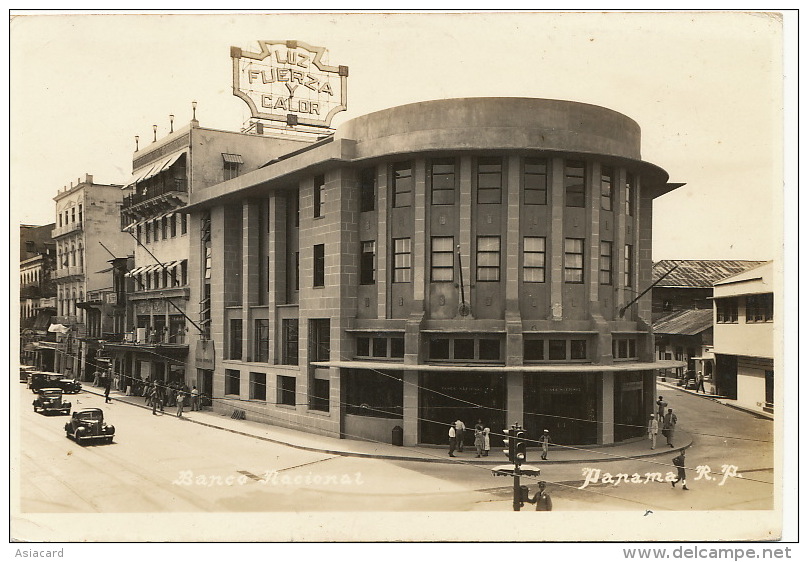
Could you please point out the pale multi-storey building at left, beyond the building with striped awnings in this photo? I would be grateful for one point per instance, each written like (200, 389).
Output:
(87, 229)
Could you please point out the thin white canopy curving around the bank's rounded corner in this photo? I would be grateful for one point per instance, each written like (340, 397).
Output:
(554, 368)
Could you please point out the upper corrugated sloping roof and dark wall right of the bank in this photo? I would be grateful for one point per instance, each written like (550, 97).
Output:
(690, 285)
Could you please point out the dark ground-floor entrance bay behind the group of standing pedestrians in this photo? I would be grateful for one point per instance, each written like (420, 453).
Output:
(446, 397)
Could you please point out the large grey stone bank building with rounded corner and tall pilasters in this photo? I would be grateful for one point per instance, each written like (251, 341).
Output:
(462, 258)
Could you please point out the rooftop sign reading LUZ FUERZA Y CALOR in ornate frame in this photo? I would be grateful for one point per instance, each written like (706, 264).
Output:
(287, 81)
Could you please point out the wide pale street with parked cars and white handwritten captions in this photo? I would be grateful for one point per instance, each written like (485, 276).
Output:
(165, 464)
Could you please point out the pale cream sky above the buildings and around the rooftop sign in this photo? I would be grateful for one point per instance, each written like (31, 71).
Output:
(705, 87)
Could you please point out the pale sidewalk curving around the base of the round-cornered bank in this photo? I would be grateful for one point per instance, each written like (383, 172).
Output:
(637, 448)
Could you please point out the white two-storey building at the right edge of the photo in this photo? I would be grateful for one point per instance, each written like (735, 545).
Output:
(744, 337)
